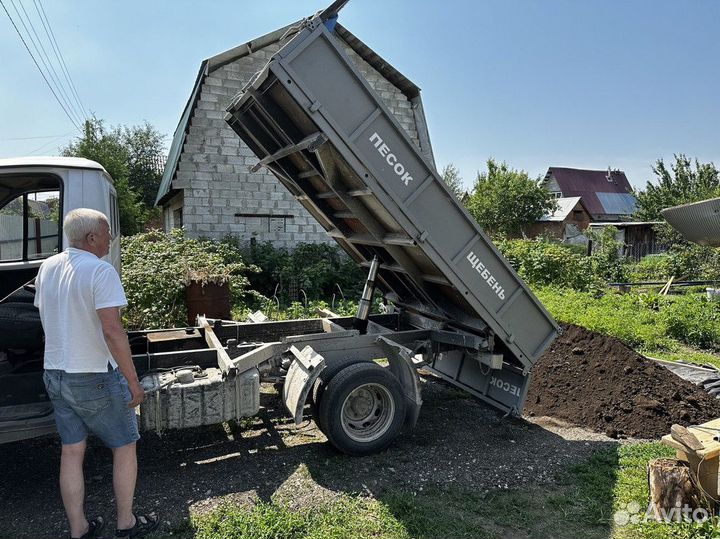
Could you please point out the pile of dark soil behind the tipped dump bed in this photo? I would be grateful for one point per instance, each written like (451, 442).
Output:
(597, 382)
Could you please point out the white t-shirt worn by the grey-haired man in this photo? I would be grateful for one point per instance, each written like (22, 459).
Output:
(70, 287)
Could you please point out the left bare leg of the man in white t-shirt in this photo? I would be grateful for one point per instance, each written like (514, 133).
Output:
(72, 487)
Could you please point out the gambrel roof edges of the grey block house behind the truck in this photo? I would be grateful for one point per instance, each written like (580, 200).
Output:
(405, 85)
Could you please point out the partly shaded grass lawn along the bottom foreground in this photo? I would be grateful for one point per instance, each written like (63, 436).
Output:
(582, 502)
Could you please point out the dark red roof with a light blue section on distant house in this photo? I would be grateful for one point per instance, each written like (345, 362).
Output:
(604, 192)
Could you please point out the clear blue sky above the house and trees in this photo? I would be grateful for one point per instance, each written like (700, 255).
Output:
(586, 84)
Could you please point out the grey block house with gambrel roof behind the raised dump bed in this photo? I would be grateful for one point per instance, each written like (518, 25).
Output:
(207, 186)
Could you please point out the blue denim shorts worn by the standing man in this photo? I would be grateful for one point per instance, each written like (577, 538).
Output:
(95, 402)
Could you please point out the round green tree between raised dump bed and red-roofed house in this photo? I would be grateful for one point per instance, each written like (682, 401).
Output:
(505, 200)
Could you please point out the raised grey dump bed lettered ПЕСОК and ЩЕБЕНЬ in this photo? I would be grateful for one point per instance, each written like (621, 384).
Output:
(315, 122)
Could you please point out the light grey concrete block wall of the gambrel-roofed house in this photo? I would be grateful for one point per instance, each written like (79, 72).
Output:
(213, 167)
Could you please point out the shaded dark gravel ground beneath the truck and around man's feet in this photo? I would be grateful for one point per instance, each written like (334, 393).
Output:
(458, 442)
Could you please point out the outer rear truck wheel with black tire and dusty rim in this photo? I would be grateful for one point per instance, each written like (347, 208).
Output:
(362, 409)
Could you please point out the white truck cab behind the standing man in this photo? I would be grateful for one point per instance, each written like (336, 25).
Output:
(35, 194)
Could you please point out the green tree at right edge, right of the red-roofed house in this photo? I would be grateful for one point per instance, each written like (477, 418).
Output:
(679, 185)
